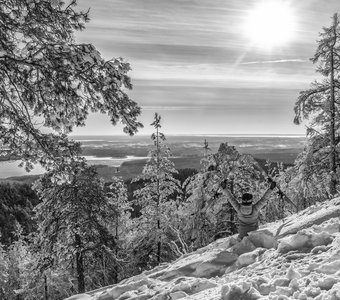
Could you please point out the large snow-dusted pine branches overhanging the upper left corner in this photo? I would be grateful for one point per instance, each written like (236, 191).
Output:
(49, 80)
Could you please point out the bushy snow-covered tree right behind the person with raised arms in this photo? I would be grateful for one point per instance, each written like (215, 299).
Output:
(210, 215)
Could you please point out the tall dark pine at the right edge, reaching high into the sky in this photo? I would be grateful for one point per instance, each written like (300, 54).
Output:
(320, 104)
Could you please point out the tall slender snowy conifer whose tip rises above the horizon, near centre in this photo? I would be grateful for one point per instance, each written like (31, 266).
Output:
(158, 208)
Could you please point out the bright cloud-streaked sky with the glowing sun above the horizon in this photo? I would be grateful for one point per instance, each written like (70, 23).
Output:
(210, 67)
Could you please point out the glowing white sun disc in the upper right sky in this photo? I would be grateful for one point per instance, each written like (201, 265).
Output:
(270, 24)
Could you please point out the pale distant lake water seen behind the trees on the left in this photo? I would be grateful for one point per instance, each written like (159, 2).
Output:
(12, 169)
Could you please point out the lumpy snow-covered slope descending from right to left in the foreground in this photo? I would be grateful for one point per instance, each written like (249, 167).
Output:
(302, 261)
